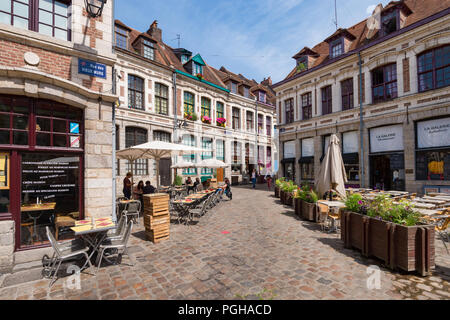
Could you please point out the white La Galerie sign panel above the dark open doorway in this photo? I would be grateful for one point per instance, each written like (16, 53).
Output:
(387, 138)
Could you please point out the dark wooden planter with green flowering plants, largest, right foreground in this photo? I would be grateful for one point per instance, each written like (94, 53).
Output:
(389, 231)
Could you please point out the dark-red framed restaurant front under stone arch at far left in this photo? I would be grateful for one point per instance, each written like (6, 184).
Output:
(41, 167)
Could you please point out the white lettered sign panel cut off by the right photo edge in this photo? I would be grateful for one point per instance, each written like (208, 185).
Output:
(433, 133)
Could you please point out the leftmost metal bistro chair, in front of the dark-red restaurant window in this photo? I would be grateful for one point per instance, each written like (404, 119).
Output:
(63, 251)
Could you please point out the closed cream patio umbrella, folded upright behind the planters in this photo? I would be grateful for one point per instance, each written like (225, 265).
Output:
(332, 171)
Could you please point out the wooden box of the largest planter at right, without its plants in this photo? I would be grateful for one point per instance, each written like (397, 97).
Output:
(406, 248)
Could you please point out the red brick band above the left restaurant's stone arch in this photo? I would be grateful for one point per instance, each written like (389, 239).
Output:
(11, 55)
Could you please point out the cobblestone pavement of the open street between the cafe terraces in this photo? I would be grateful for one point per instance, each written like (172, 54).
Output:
(249, 248)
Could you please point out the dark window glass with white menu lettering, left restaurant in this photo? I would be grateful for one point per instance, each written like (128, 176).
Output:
(51, 178)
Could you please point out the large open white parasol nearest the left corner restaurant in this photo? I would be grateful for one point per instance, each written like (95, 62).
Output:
(155, 150)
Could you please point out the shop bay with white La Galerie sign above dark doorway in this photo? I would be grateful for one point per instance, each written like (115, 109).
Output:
(386, 158)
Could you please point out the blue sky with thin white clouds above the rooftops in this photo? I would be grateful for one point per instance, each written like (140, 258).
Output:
(254, 37)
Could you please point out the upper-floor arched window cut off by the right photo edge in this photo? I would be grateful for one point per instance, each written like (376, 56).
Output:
(433, 68)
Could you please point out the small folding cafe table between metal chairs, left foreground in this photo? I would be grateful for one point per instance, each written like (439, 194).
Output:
(93, 234)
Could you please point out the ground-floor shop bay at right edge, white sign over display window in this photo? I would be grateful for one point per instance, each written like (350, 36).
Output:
(433, 153)
